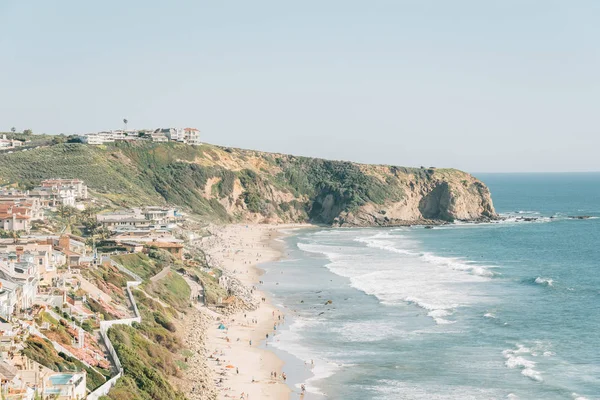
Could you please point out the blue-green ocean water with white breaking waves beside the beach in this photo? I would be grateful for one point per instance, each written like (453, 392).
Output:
(507, 310)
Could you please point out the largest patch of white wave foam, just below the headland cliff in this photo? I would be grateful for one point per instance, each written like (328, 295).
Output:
(423, 279)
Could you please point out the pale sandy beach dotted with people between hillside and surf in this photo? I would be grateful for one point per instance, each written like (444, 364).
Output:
(242, 369)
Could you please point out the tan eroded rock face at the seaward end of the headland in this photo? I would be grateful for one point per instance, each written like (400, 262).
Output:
(284, 188)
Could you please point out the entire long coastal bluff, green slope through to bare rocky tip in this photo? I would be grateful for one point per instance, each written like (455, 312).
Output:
(225, 184)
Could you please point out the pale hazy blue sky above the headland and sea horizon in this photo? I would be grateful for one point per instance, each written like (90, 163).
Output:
(483, 86)
